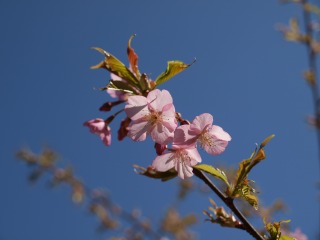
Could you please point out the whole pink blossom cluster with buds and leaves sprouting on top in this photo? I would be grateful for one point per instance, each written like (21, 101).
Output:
(150, 112)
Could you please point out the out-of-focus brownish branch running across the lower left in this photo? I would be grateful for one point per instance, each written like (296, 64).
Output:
(132, 225)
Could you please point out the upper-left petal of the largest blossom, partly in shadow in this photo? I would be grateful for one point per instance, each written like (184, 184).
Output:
(137, 107)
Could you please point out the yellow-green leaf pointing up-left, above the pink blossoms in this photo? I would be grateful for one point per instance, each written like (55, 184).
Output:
(115, 66)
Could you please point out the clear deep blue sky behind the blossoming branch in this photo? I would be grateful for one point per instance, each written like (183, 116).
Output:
(246, 75)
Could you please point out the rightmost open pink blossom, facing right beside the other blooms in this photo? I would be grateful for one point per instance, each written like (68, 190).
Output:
(212, 138)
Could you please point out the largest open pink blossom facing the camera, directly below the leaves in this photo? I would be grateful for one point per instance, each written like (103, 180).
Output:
(154, 115)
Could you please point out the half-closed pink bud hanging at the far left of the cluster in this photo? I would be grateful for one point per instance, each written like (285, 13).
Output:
(99, 127)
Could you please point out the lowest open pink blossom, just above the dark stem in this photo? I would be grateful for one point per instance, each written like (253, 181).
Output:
(182, 158)
